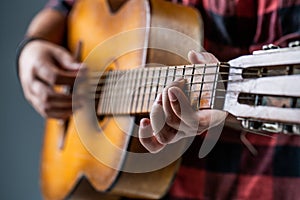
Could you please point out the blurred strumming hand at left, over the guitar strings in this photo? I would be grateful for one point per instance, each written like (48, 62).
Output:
(43, 66)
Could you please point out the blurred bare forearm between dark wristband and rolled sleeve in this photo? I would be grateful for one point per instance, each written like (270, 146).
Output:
(48, 24)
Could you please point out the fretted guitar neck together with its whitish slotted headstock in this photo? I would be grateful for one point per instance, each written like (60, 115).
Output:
(256, 93)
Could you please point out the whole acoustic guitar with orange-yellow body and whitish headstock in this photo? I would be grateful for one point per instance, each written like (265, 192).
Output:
(133, 49)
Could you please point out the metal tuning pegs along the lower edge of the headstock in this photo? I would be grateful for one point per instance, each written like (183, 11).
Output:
(254, 125)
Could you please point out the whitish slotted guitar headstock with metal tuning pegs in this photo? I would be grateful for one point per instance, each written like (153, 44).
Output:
(263, 90)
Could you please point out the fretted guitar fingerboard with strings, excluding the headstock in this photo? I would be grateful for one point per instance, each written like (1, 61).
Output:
(133, 92)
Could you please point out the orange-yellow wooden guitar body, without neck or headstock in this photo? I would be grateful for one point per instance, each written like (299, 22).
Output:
(67, 157)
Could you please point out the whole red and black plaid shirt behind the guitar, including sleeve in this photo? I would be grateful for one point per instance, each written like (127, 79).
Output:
(230, 171)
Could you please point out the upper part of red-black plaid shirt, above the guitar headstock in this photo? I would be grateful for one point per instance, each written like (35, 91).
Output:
(234, 28)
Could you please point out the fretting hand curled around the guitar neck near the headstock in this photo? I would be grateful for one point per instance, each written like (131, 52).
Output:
(172, 117)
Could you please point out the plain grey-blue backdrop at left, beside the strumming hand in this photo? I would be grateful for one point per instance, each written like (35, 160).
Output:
(21, 127)
